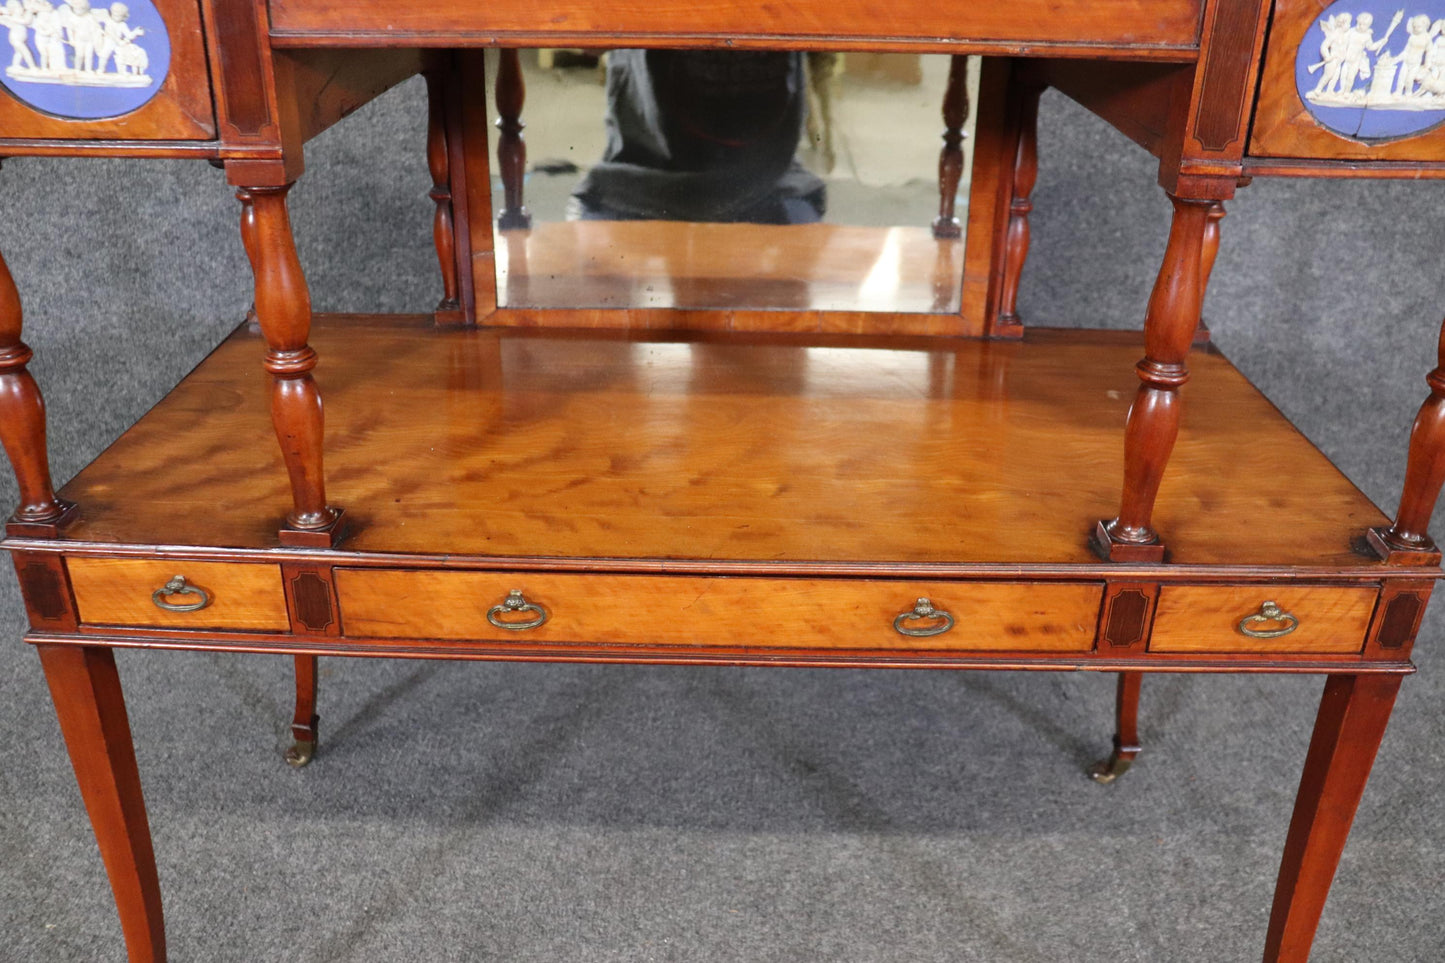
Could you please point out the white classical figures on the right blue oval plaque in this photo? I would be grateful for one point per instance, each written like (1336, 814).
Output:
(1356, 70)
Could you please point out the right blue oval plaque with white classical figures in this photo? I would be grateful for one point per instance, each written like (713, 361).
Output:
(1375, 70)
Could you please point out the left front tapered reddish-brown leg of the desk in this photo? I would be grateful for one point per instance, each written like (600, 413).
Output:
(93, 718)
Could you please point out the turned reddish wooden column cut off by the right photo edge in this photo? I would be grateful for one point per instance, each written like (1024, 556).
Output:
(1408, 539)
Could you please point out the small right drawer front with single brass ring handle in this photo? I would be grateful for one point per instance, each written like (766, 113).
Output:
(1207, 618)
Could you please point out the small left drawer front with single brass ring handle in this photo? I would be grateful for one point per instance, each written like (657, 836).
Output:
(236, 596)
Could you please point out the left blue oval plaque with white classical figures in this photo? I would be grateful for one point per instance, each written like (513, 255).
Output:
(73, 59)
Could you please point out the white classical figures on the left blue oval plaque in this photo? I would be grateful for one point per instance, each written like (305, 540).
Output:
(74, 44)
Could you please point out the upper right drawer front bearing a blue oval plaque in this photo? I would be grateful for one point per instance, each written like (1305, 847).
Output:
(1324, 93)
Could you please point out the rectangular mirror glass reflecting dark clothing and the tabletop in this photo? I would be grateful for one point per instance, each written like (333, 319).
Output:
(732, 180)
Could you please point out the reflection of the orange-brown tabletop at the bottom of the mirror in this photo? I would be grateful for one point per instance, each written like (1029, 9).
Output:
(728, 267)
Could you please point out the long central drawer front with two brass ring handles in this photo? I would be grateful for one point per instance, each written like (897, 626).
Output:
(717, 611)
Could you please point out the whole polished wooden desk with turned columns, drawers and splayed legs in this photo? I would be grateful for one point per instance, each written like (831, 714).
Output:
(728, 487)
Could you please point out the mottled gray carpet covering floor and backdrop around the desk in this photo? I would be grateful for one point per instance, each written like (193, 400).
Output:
(519, 813)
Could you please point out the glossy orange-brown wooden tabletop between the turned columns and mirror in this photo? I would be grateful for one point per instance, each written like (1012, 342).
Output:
(612, 445)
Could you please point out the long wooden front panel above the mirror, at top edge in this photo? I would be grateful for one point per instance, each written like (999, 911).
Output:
(1129, 30)
